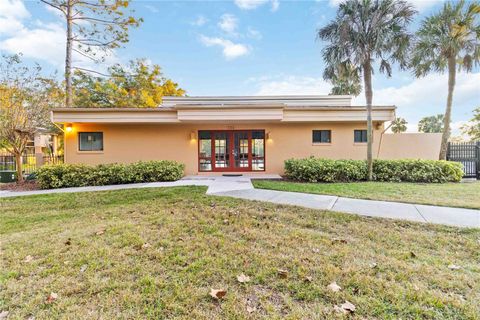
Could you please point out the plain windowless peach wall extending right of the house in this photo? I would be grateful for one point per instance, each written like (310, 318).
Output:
(410, 146)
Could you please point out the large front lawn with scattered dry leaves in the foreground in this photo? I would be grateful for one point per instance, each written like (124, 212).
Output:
(198, 242)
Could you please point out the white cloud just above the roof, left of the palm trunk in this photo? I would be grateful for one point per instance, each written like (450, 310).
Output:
(290, 85)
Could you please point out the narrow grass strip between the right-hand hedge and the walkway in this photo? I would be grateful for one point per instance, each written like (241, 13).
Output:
(464, 195)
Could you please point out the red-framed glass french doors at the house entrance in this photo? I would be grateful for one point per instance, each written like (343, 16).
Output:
(231, 150)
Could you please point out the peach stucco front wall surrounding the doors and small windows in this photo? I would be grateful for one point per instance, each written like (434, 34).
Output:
(128, 143)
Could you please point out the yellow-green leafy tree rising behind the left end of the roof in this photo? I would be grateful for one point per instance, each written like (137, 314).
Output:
(139, 85)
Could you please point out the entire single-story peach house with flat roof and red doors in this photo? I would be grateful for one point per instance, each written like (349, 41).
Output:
(215, 135)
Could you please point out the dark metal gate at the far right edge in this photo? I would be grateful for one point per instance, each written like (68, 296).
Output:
(467, 153)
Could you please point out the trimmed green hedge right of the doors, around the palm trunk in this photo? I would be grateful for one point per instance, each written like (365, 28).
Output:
(326, 170)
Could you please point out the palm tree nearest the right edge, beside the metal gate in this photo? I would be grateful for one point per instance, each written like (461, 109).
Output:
(447, 41)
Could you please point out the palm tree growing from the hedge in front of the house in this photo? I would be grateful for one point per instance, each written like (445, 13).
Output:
(363, 32)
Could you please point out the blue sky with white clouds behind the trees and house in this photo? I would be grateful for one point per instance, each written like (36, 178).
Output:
(241, 47)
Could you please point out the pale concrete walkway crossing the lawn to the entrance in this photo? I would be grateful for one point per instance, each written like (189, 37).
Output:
(241, 187)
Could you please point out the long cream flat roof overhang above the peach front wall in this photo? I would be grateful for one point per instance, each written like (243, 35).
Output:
(217, 113)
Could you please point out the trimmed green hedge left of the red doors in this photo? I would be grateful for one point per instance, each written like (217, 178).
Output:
(79, 175)
